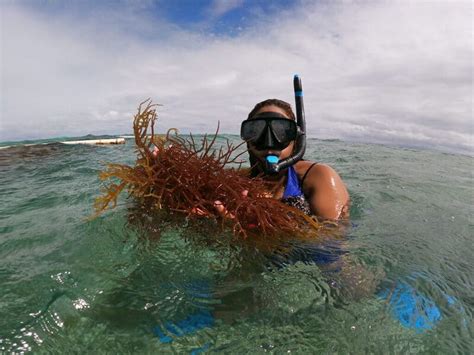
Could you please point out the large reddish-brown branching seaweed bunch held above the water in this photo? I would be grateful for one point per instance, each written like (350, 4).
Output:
(180, 175)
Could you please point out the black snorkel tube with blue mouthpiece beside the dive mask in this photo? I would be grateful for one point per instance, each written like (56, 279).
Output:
(272, 164)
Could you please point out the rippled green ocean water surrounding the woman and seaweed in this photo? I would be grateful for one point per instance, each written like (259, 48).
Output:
(404, 284)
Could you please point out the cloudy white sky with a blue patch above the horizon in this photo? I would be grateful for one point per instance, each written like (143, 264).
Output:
(394, 72)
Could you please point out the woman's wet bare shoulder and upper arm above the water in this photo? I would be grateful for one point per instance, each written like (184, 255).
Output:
(325, 189)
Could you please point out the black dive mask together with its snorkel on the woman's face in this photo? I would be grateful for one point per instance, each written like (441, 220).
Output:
(271, 130)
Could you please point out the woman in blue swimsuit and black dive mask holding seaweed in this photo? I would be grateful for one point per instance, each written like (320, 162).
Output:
(271, 134)
